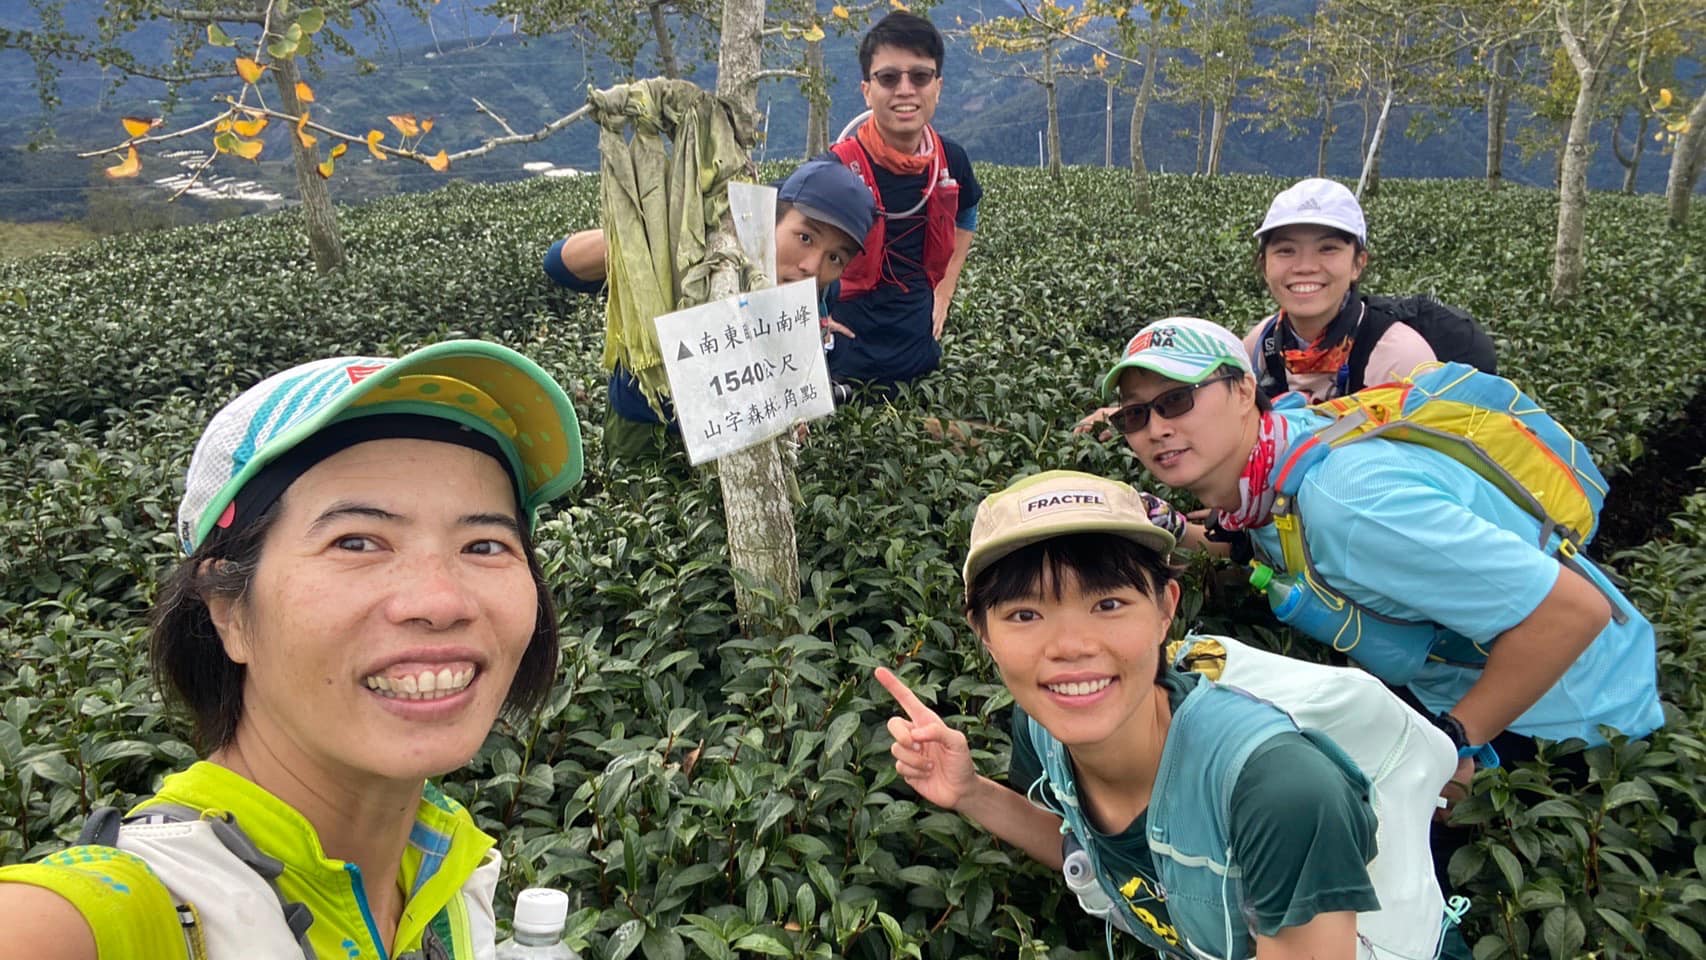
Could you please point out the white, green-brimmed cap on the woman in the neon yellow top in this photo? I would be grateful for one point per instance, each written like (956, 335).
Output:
(480, 386)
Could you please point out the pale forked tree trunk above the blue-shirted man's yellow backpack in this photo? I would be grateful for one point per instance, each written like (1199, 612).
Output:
(1569, 260)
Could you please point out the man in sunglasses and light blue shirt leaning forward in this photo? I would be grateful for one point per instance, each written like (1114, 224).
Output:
(1521, 644)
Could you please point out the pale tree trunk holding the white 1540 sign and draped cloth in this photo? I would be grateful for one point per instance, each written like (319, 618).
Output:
(758, 504)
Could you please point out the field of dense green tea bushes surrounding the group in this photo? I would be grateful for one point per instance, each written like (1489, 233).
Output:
(702, 792)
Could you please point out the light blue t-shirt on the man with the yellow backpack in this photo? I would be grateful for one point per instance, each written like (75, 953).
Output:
(1413, 535)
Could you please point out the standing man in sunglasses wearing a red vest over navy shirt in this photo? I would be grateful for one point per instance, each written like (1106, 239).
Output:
(895, 296)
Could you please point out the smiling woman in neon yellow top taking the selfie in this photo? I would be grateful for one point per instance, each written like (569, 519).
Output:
(361, 601)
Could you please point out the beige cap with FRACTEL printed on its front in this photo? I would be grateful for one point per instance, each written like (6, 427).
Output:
(1059, 504)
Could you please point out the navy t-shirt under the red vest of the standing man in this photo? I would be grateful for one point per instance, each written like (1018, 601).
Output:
(891, 325)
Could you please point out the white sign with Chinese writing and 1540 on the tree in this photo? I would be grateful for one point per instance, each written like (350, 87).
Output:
(745, 369)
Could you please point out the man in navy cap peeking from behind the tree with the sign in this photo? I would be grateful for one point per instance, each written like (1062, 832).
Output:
(823, 214)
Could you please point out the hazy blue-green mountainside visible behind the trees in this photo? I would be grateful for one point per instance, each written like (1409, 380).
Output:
(439, 67)
